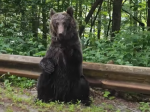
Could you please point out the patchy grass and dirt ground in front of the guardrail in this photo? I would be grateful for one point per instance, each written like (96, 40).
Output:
(15, 99)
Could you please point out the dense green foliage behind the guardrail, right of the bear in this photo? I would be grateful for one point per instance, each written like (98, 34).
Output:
(127, 49)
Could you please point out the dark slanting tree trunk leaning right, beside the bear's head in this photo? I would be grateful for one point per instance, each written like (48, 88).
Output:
(82, 27)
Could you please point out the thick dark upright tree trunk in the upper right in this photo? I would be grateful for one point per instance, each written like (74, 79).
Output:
(116, 17)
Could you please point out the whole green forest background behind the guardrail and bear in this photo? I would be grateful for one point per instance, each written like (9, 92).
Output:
(110, 30)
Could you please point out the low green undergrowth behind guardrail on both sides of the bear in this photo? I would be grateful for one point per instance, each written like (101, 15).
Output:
(126, 49)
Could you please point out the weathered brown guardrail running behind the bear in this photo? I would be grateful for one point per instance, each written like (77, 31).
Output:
(119, 77)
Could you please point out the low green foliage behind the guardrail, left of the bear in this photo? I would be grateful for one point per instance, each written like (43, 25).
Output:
(27, 46)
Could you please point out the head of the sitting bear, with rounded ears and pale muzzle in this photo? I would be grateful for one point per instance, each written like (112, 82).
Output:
(62, 25)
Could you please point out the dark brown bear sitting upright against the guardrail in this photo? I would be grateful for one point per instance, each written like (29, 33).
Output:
(62, 76)
